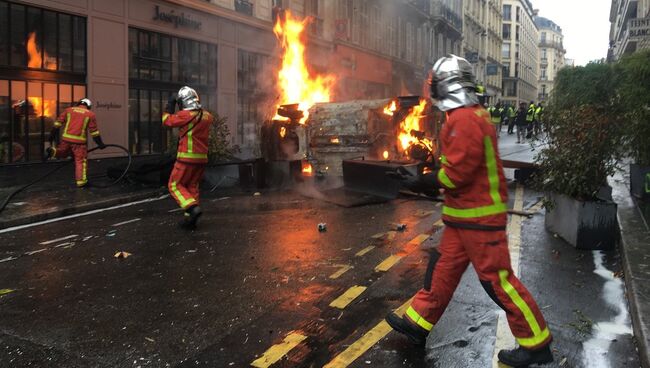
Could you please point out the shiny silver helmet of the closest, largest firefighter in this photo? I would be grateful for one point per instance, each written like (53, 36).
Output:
(452, 83)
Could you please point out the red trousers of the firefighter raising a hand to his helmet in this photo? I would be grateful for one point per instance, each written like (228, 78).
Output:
(184, 183)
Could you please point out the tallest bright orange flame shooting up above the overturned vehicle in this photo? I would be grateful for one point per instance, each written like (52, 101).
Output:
(296, 83)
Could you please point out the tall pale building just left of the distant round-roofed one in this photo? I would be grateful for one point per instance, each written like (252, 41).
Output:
(519, 52)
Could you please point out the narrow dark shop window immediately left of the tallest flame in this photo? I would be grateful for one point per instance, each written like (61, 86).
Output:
(250, 98)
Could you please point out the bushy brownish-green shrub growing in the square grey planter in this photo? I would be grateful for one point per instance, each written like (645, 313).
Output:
(584, 132)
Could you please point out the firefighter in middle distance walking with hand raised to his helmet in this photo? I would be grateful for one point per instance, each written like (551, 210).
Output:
(192, 156)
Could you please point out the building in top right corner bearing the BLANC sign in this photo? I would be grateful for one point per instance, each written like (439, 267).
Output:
(630, 27)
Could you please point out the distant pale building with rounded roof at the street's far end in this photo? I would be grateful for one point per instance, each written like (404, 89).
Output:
(551, 55)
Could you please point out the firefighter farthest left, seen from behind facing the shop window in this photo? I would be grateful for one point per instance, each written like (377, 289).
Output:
(76, 122)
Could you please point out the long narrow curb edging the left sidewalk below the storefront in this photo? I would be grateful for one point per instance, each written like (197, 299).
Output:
(74, 209)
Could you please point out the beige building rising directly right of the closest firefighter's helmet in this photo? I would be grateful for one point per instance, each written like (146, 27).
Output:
(482, 42)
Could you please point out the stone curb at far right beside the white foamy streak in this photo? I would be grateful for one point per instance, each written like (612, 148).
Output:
(634, 238)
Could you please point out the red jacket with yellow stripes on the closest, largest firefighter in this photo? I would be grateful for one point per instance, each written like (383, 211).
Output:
(476, 195)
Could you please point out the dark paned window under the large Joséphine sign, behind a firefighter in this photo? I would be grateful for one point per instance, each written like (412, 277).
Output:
(159, 65)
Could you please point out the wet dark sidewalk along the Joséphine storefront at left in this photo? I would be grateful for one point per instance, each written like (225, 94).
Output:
(57, 194)
